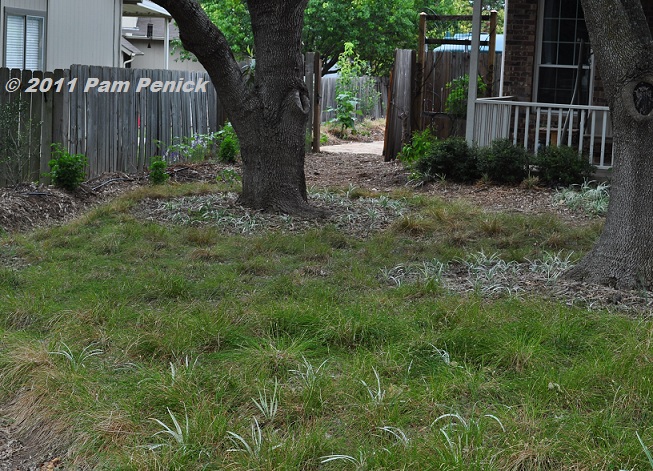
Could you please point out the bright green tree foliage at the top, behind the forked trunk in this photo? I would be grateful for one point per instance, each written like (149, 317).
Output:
(375, 27)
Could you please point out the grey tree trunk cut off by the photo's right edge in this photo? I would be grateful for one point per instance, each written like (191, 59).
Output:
(622, 44)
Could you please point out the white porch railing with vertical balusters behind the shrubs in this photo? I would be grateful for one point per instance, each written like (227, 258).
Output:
(534, 125)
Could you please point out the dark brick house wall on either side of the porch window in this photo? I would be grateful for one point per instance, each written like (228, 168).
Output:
(521, 46)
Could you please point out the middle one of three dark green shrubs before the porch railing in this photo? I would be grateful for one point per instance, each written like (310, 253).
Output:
(504, 162)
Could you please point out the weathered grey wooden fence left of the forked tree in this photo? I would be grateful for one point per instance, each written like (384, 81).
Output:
(118, 129)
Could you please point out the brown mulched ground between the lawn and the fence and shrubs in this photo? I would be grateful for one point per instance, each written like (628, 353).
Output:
(28, 206)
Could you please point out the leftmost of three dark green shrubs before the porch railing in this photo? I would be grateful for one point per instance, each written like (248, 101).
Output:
(451, 158)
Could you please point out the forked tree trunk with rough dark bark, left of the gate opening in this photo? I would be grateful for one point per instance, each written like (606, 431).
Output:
(267, 108)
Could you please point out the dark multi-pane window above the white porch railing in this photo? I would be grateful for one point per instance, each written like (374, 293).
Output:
(563, 34)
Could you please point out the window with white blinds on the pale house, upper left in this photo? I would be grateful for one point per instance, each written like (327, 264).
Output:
(24, 38)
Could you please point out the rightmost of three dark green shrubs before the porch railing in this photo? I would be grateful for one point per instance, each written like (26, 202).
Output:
(562, 166)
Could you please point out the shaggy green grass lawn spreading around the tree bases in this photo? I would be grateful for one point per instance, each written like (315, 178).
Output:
(252, 344)
